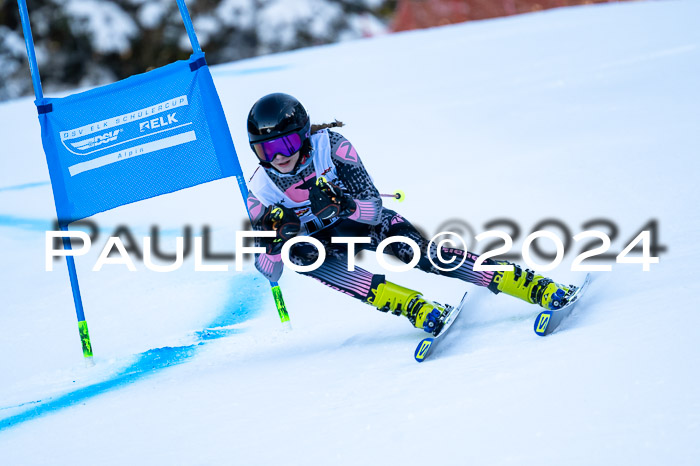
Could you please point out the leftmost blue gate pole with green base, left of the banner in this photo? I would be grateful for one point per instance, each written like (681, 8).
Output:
(39, 94)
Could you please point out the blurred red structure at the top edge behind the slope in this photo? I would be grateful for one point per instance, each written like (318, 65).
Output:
(419, 14)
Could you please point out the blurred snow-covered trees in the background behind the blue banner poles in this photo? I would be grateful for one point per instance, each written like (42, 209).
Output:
(92, 42)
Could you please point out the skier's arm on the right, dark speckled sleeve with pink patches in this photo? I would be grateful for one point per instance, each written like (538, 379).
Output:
(357, 182)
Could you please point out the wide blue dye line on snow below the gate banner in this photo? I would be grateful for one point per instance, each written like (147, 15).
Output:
(238, 308)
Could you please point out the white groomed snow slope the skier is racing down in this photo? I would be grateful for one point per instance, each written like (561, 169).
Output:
(574, 114)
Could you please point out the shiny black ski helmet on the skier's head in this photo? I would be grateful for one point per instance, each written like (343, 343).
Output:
(276, 115)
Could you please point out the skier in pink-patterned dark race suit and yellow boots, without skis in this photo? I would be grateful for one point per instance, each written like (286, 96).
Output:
(313, 183)
